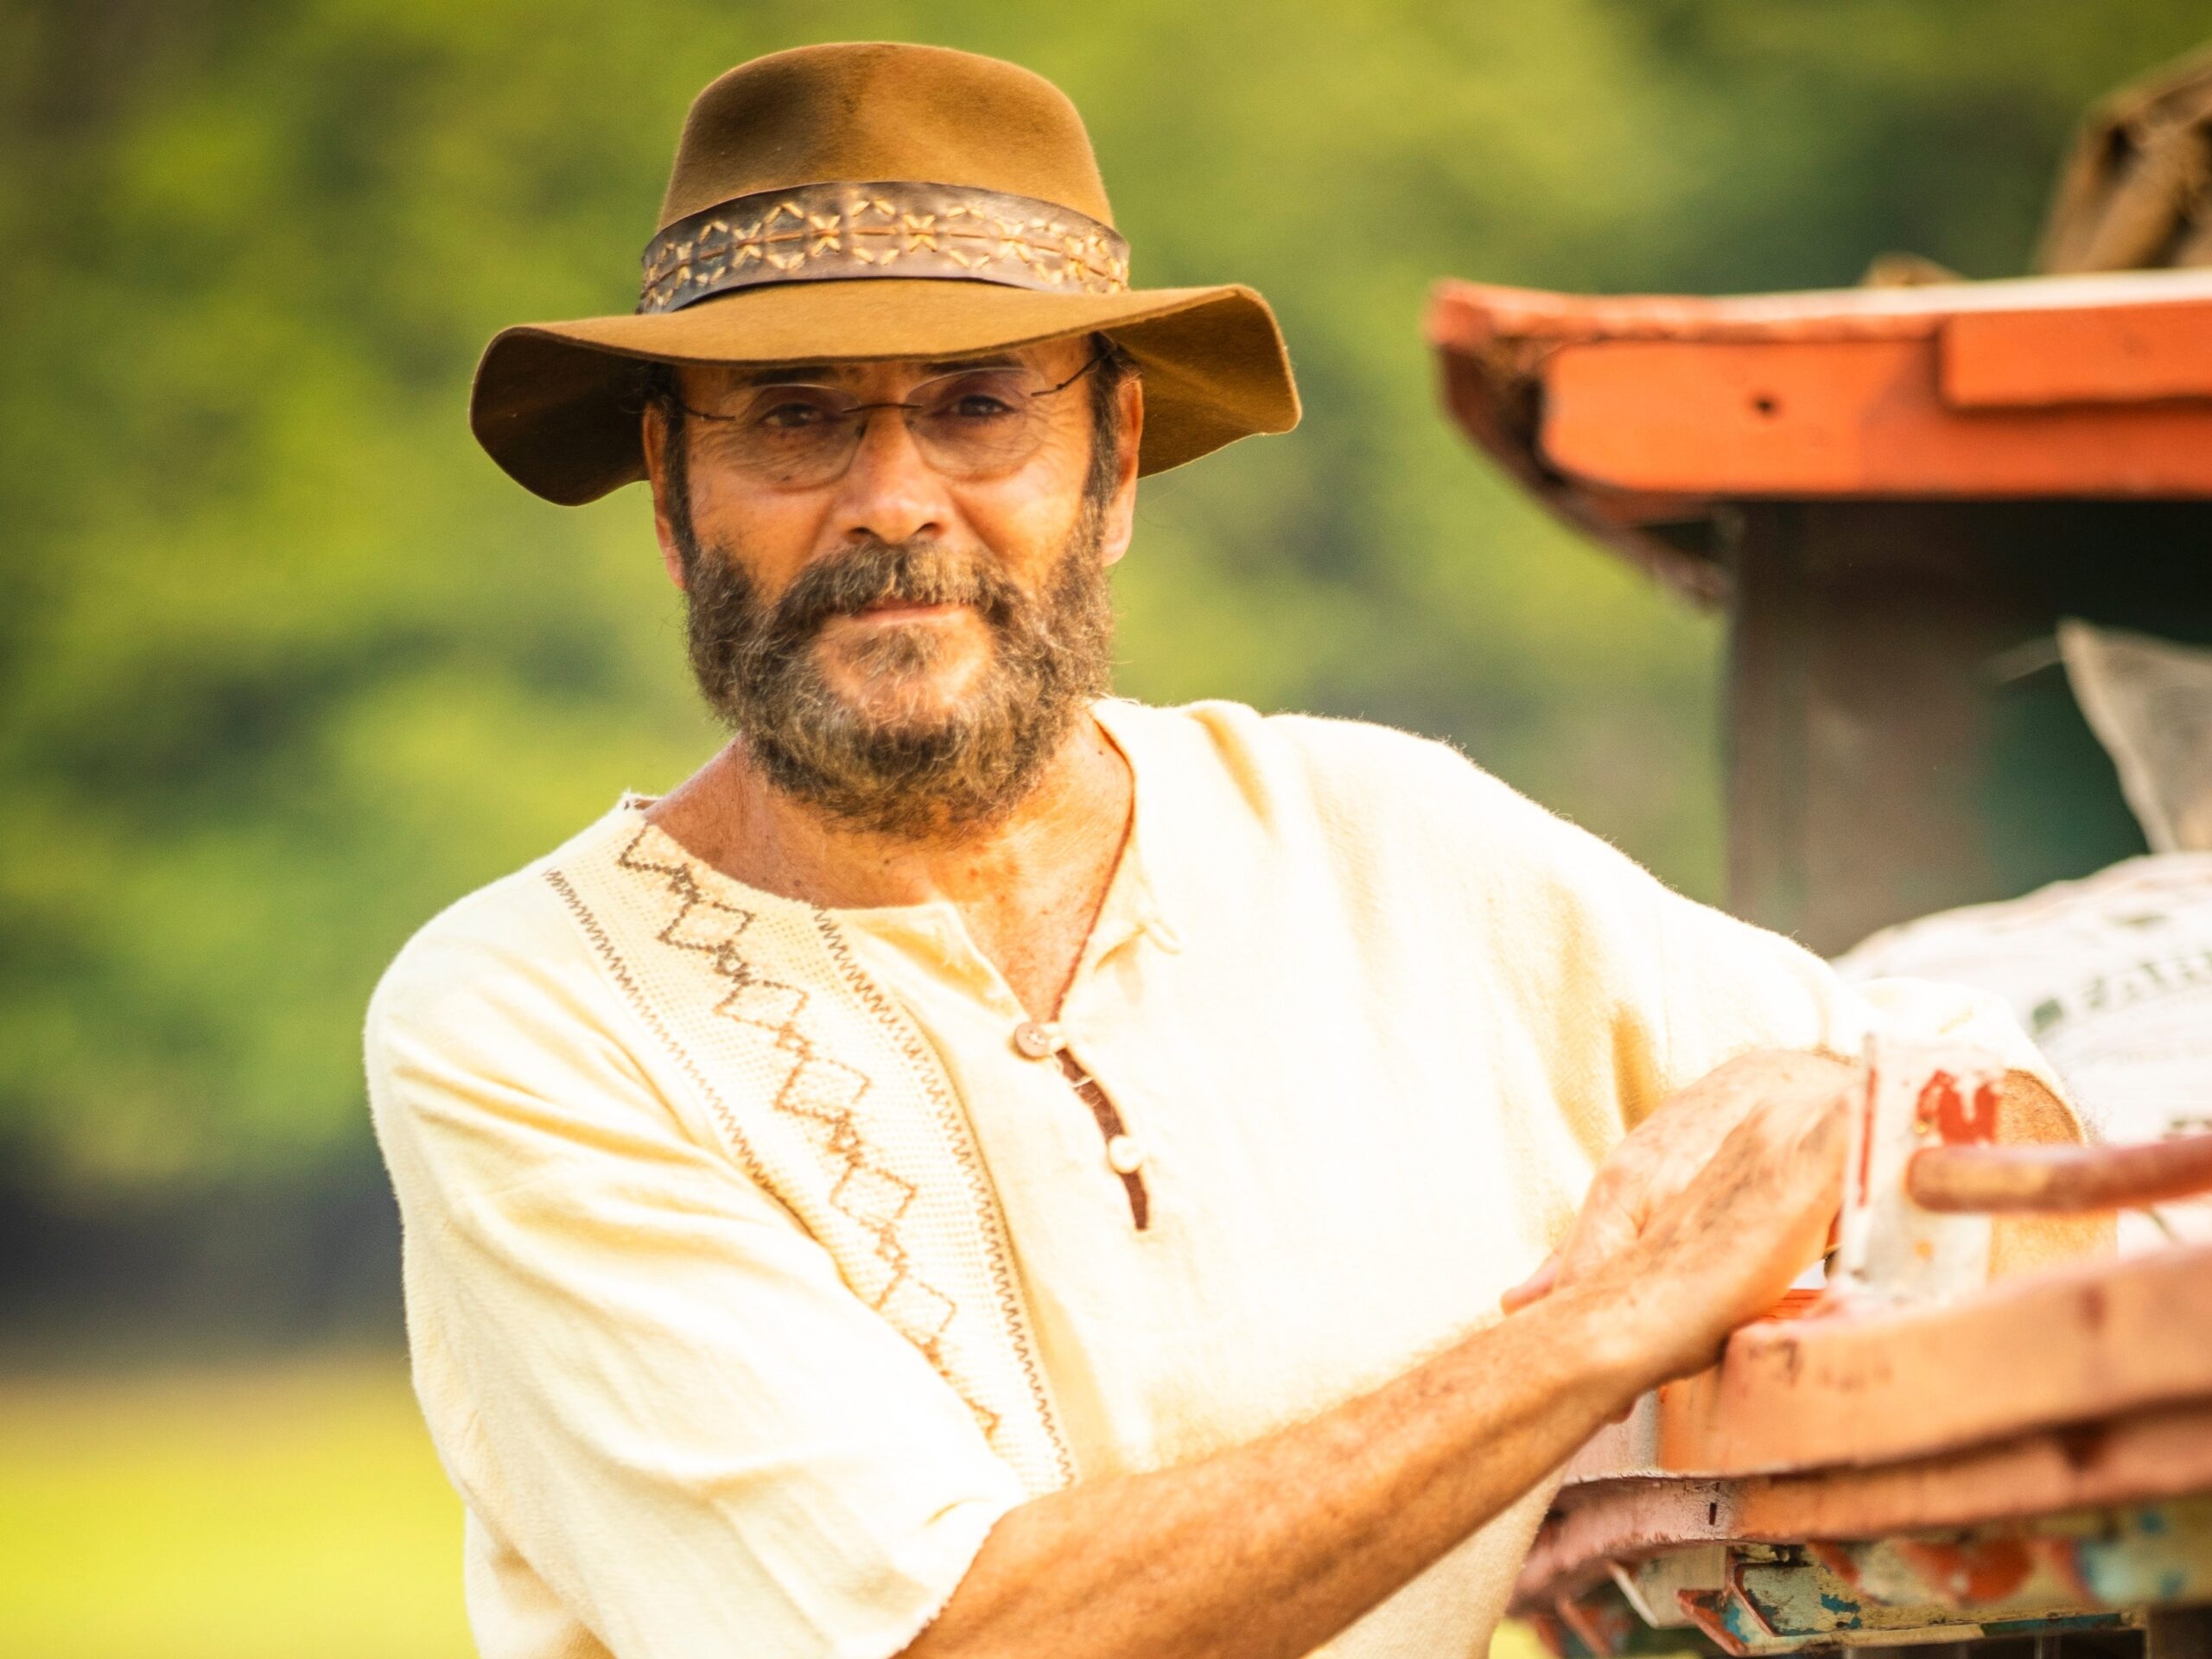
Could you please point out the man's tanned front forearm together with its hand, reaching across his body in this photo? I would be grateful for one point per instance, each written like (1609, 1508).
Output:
(1271, 1550)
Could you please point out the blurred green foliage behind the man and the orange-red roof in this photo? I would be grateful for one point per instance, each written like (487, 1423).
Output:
(289, 665)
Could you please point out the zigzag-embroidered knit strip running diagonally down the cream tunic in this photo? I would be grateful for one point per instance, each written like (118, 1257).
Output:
(868, 1151)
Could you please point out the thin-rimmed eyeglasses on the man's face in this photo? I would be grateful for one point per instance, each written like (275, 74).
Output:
(974, 424)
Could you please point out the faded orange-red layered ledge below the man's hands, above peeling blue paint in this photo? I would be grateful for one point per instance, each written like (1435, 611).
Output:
(2067, 1390)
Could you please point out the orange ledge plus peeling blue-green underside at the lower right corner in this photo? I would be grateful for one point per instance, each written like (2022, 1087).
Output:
(2027, 1461)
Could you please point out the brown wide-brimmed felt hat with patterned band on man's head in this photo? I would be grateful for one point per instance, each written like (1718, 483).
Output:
(877, 202)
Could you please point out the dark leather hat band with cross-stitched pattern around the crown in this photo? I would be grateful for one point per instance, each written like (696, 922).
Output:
(842, 231)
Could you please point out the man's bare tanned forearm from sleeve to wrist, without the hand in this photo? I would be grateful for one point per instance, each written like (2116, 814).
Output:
(1277, 1545)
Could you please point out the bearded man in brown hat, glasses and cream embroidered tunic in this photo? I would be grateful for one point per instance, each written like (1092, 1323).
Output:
(985, 1167)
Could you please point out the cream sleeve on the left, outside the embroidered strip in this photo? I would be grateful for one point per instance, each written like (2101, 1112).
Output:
(647, 1381)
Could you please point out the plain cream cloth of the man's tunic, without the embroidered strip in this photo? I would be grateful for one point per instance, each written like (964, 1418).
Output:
(1368, 1021)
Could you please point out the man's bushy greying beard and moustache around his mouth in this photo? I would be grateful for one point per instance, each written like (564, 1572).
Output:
(908, 778)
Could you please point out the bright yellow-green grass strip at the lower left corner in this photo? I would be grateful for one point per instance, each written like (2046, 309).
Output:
(286, 1510)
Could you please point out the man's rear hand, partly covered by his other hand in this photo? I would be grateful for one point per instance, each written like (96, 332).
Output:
(1671, 1149)
